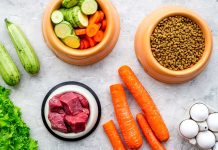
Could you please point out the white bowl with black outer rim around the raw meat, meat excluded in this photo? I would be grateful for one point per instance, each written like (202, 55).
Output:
(94, 105)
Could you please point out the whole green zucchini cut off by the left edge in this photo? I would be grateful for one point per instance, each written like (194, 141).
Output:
(8, 69)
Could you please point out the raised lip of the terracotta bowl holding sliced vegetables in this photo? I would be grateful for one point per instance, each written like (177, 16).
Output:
(61, 47)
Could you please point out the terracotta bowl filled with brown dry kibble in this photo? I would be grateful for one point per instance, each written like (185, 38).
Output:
(173, 44)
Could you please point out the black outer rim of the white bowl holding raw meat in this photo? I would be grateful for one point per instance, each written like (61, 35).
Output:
(46, 99)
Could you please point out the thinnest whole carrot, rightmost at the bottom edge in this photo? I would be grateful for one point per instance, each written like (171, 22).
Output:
(150, 137)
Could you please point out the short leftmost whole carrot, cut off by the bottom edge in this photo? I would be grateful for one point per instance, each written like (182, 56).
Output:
(111, 131)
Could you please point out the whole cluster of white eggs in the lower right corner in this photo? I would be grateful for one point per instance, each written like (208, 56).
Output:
(202, 127)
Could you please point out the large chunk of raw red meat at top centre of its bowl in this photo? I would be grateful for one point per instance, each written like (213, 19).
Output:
(71, 103)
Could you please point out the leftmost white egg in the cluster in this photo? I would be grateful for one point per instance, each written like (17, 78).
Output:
(189, 128)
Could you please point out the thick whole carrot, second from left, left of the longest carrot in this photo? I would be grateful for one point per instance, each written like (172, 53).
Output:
(128, 126)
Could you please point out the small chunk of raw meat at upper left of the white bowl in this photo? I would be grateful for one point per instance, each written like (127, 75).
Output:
(55, 105)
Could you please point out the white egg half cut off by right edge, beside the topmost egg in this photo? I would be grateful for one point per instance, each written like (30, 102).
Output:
(212, 122)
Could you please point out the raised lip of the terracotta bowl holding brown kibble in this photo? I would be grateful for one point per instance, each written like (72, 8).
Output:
(182, 11)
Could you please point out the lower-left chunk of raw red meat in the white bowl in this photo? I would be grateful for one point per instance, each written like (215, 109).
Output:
(57, 121)
